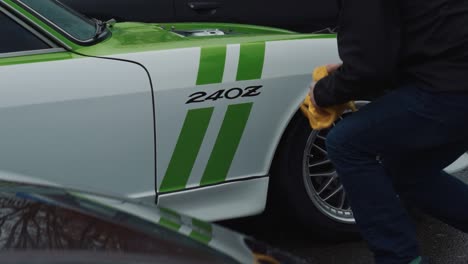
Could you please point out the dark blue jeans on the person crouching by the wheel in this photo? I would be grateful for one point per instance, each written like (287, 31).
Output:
(394, 150)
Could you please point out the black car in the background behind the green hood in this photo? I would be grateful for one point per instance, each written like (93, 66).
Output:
(296, 15)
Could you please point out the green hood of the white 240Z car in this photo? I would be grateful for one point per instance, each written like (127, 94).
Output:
(131, 37)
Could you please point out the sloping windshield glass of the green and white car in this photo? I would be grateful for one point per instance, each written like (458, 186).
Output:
(70, 22)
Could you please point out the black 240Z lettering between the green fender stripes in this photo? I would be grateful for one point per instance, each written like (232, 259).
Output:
(231, 94)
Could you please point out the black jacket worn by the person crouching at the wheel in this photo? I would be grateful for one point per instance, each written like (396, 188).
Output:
(386, 43)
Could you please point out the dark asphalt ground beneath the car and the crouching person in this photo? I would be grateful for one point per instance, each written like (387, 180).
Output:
(441, 243)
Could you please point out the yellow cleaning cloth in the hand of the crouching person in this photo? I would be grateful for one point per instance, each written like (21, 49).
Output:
(322, 118)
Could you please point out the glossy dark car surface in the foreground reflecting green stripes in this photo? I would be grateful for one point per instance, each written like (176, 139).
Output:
(53, 225)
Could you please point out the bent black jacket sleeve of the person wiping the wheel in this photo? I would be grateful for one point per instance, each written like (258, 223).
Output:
(369, 38)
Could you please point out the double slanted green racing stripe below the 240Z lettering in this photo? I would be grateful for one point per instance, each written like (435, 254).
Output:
(191, 138)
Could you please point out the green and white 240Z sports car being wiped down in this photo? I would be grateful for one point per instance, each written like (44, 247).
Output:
(201, 118)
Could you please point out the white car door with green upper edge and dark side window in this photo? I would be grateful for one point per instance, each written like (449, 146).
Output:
(76, 121)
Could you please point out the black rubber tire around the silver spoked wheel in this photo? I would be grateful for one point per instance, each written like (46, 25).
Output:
(288, 195)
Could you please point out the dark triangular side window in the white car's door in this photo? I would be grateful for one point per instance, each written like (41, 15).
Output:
(16, 38)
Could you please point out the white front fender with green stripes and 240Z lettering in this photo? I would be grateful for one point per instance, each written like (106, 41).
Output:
(282, 69)
